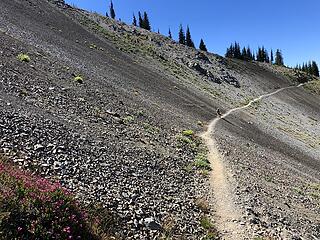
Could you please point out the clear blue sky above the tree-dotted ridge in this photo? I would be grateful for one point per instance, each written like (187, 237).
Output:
(290, 25)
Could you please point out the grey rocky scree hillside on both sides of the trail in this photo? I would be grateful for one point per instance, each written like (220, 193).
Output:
(104, 107)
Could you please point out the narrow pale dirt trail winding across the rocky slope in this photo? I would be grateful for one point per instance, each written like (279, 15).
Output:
(227, 215)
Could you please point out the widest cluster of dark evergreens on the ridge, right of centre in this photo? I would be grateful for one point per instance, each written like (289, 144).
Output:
(235, 51)
